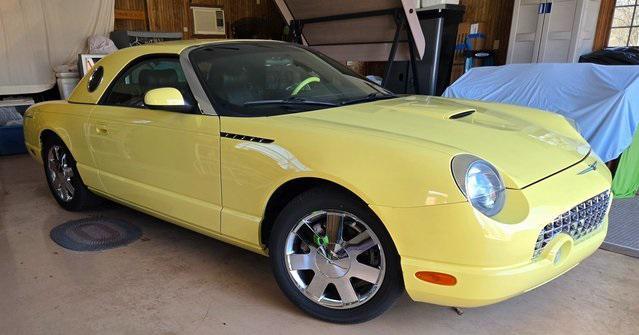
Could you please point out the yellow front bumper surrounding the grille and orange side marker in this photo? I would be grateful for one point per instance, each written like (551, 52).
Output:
(492, 258)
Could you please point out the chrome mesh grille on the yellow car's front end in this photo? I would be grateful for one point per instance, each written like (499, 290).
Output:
(578, 222)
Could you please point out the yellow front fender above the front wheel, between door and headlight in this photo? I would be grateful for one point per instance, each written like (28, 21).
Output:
(389, 171)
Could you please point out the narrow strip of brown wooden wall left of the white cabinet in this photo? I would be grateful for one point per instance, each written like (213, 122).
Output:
(497, 15)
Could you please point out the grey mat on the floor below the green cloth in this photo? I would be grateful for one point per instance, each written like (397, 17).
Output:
(623, 227)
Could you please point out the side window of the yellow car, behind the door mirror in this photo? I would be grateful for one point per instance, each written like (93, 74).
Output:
(131, 86)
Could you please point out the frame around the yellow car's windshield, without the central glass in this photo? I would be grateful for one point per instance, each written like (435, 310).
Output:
(218, 109)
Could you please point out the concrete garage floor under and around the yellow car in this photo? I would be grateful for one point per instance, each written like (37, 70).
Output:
(176, 281)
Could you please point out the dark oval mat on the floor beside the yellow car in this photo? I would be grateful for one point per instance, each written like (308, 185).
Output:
(94, 234)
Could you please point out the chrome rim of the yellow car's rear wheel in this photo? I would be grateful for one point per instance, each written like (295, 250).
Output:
(60, 172)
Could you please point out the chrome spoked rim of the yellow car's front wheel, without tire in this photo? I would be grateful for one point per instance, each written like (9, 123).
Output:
(335, 259)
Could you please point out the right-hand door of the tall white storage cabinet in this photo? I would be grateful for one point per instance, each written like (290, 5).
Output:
(557, 31)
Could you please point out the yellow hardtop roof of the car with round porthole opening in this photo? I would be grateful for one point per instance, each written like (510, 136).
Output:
(114, 63)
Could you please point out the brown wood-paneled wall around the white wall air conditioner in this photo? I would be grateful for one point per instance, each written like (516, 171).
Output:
(175, 15)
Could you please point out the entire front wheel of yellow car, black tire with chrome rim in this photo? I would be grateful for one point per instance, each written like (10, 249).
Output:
(333, 258)
